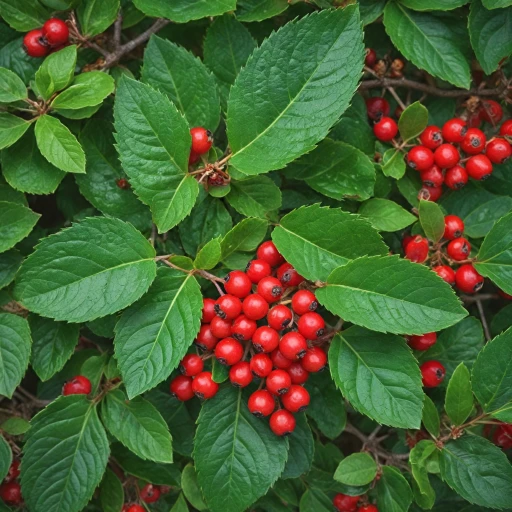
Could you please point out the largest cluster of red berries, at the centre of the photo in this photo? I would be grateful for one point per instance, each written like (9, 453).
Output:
(281, 350)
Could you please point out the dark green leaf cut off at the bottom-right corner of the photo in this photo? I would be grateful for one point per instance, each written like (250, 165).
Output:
(477, 470)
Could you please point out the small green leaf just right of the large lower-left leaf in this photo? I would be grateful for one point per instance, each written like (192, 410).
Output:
(138, 425)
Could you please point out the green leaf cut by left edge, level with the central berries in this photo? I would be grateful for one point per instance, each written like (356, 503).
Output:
(15, 344)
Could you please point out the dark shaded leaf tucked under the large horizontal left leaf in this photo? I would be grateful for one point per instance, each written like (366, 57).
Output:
(53, 343)
